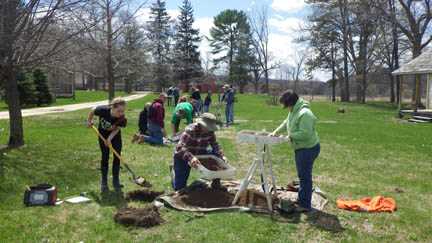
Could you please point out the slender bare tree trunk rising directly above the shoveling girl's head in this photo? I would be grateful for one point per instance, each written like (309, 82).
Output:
(110, 71)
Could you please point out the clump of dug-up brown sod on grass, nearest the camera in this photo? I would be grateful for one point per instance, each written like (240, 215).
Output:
(141, 217)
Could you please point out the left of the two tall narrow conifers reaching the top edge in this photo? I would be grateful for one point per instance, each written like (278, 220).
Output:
(159, 35)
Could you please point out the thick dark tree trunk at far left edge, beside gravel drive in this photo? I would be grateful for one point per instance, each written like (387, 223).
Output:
(16, 136)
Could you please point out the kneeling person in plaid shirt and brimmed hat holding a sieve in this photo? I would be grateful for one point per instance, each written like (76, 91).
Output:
(198, 139)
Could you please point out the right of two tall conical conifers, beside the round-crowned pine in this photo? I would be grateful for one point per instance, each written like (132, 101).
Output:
(187, 62)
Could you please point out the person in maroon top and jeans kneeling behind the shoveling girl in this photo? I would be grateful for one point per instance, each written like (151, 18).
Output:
(156, 124)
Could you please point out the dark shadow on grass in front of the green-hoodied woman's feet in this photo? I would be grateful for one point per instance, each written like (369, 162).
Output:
(325, 221)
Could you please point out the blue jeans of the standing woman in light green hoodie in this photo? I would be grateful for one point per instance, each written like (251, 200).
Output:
(304, 162)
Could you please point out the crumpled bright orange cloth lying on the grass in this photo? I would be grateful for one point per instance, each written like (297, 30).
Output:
(367, 204)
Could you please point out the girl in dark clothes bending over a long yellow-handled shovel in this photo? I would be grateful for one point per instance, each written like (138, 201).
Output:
(111, 119)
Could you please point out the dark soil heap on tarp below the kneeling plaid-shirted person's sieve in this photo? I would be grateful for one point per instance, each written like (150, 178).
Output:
(206, 197)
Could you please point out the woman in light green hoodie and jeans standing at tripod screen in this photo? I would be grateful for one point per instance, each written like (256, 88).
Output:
(300, 125)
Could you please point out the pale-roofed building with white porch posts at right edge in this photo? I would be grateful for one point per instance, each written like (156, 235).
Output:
(421, 65)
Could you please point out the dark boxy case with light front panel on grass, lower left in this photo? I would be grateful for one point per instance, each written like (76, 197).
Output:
(40, 195)
